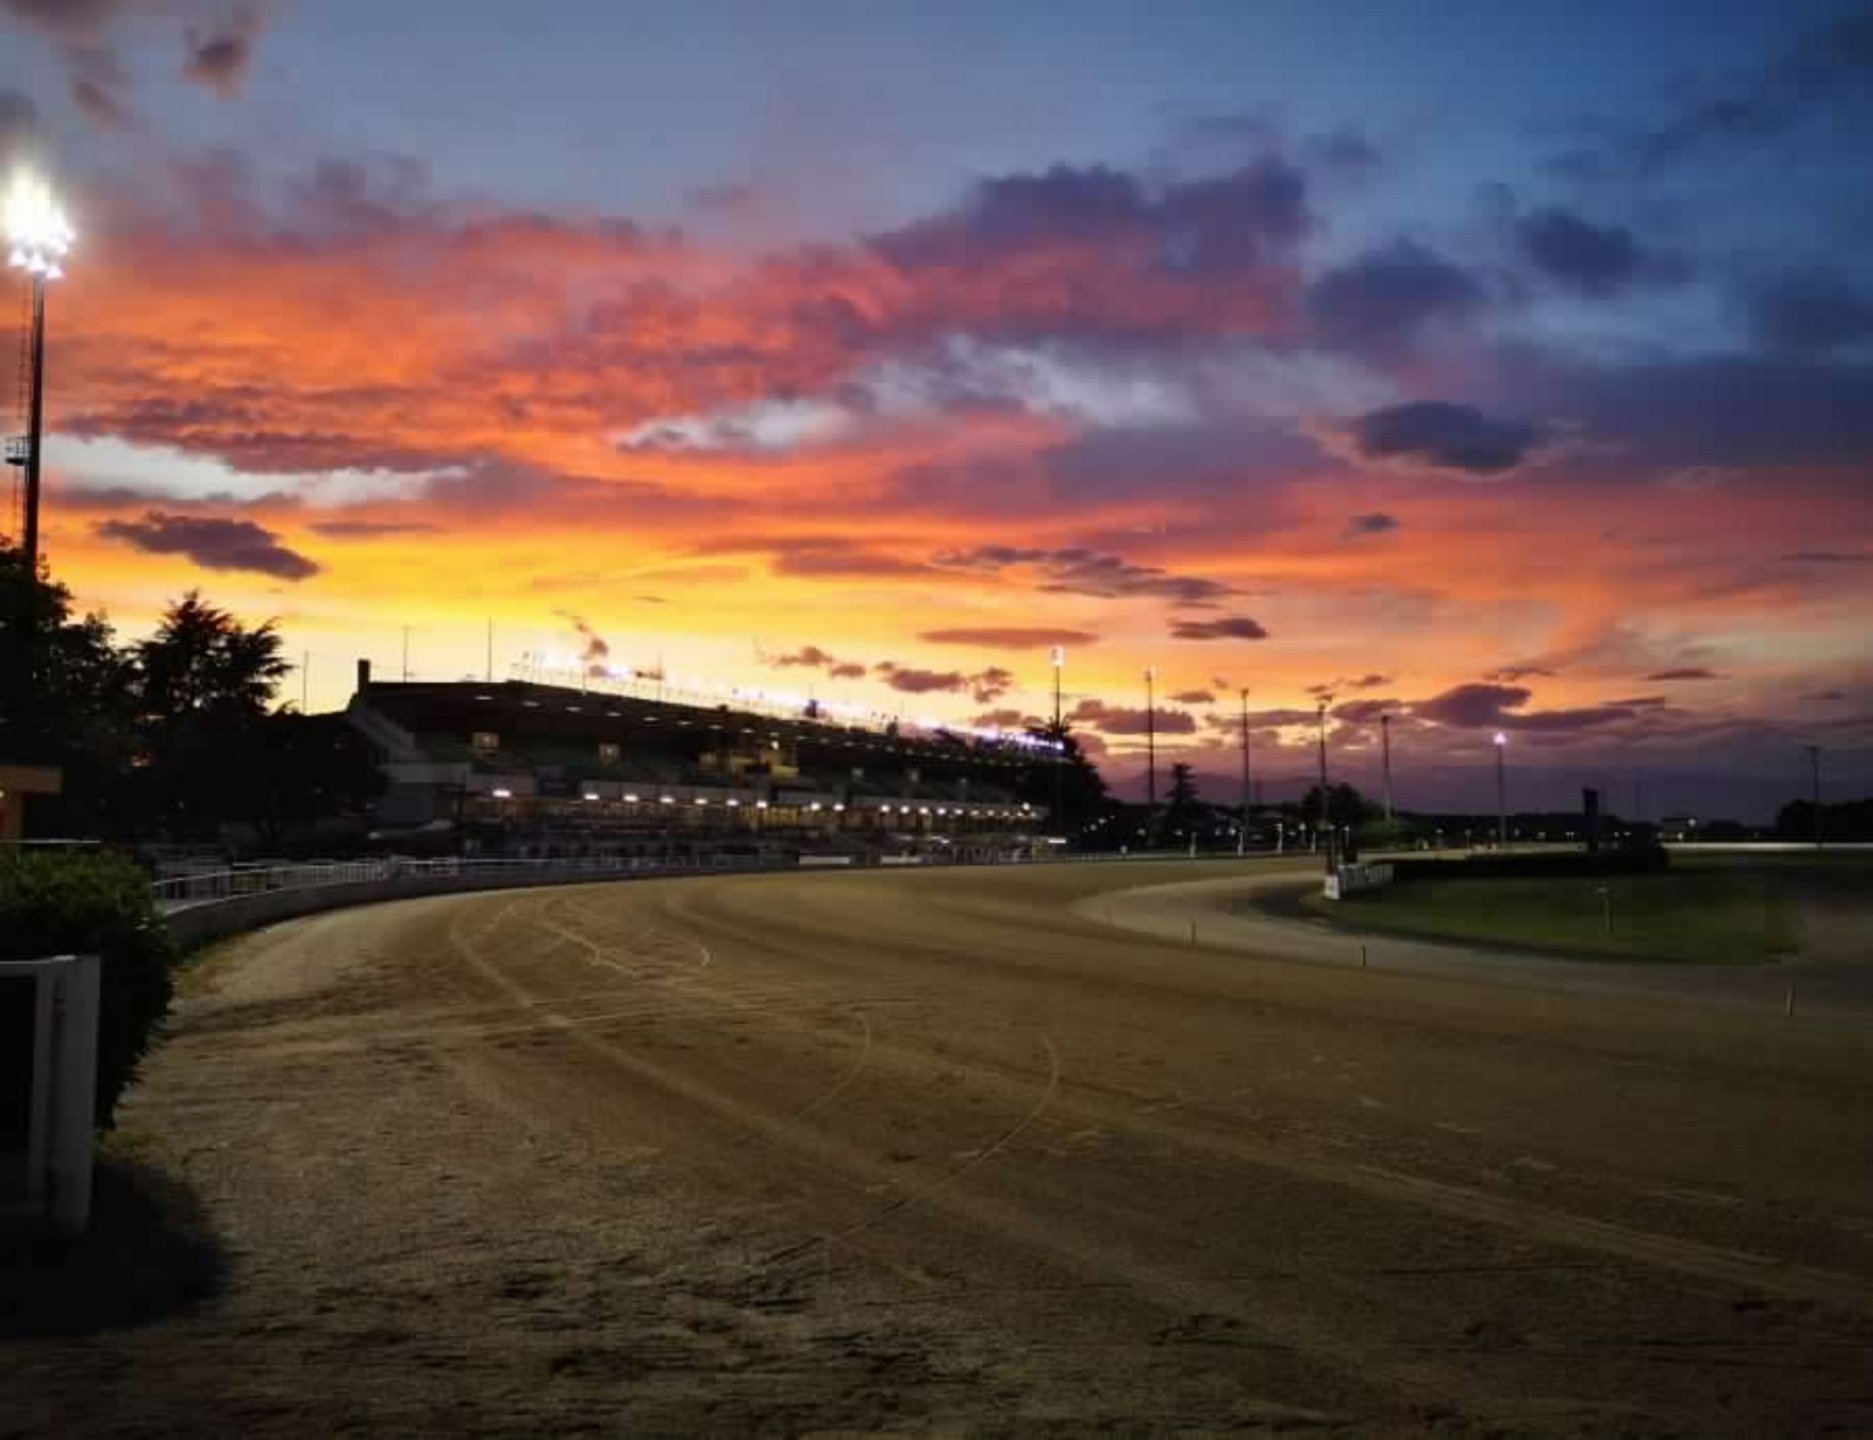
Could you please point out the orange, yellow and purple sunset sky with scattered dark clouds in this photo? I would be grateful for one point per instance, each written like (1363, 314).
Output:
(1494, 366)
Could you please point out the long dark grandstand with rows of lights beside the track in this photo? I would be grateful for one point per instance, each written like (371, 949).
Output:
(516, 767)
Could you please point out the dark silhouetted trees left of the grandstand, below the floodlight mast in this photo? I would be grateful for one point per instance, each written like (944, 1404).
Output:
(175, 737)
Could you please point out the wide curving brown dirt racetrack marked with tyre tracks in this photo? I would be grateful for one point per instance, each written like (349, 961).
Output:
(934, 1153)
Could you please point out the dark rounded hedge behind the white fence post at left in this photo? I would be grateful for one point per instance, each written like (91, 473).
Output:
(93, 904)
